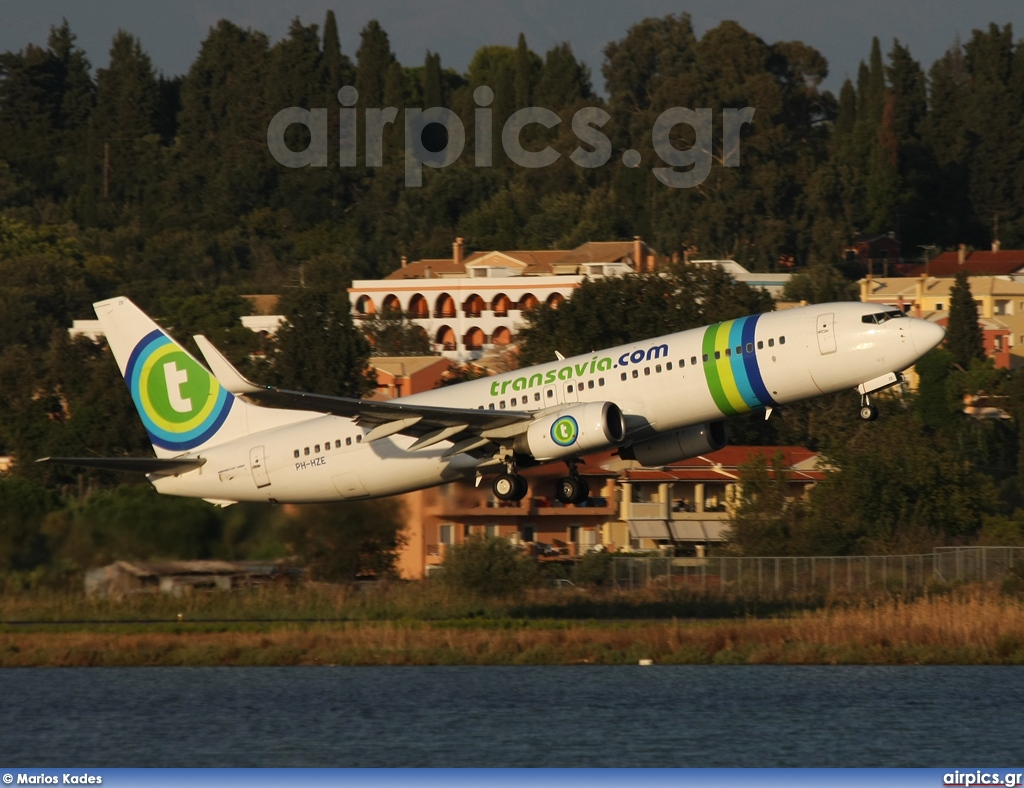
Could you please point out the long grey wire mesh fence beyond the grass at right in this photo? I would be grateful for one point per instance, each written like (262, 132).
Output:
(785, 576)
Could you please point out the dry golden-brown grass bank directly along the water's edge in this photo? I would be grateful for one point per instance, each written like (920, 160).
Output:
(967, 628)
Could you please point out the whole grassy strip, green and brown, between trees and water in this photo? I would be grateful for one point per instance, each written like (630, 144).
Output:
(418, 626)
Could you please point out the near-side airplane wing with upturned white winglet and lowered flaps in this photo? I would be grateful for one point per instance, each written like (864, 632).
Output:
(430, 424)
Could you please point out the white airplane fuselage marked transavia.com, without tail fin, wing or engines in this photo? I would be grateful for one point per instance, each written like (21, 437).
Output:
(663, 384)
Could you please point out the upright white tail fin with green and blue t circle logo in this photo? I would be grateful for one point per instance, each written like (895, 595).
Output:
(182, 405)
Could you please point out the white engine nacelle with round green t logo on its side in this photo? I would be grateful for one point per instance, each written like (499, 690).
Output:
(574, 430)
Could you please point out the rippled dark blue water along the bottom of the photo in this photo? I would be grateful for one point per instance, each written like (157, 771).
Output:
(513, 717)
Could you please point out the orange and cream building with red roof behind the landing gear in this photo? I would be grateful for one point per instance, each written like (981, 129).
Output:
(687, 507)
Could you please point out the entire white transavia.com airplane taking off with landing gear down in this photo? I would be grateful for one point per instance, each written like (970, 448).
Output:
(221, 437)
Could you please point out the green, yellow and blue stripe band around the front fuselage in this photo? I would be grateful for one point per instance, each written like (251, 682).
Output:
(735, 378)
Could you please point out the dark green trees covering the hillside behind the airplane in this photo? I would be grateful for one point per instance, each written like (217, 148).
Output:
(125, 181)
